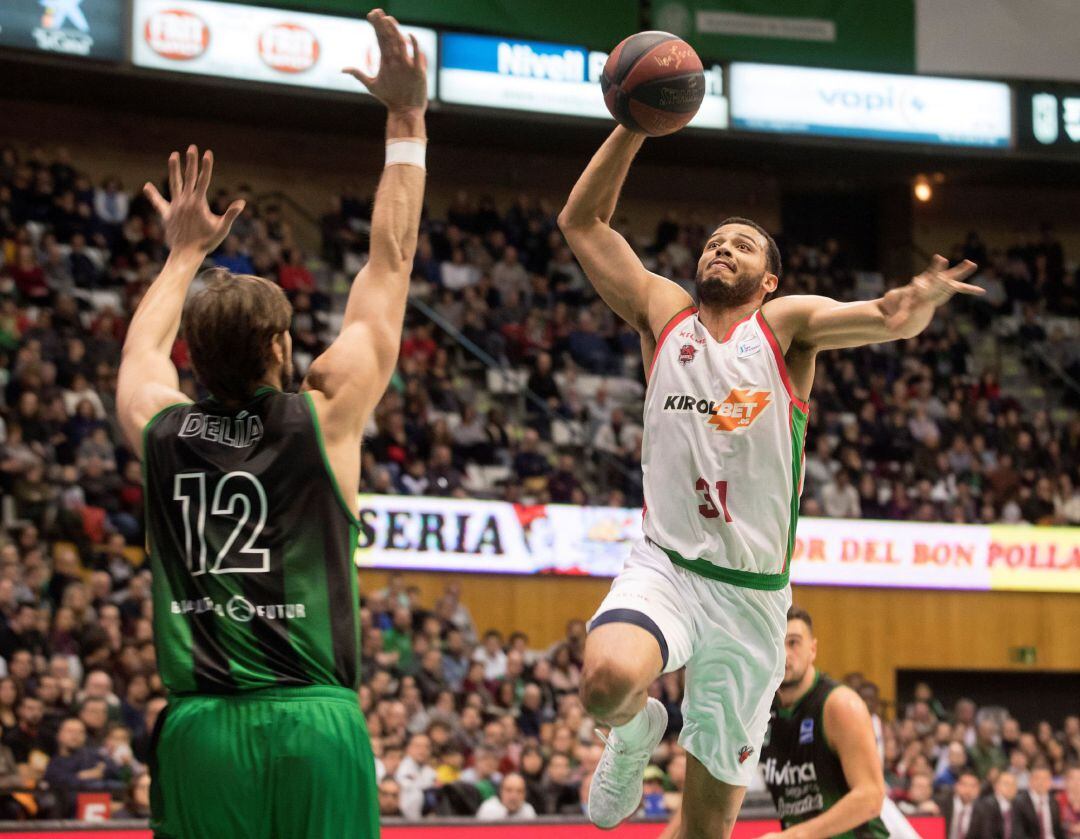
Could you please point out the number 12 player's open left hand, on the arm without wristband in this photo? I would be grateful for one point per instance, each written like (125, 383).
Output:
(190, 223)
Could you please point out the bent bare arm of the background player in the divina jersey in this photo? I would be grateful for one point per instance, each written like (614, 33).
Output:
(850, 735)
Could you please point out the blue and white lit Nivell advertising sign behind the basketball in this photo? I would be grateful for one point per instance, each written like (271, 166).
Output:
(544, 78)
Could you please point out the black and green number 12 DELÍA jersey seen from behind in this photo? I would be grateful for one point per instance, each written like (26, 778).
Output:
(251, 547)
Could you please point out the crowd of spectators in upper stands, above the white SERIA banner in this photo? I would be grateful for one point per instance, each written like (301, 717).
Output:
(917, 430)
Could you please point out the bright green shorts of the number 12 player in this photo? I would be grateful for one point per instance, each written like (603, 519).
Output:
(277, 764)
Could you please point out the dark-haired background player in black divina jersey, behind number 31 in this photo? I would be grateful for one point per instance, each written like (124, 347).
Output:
(820, 759)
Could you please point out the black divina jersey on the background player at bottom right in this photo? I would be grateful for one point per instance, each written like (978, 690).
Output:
(804, 775)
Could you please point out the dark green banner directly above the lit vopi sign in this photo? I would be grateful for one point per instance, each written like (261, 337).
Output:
(817, 33)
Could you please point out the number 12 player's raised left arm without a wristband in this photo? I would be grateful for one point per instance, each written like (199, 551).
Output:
(148, 382)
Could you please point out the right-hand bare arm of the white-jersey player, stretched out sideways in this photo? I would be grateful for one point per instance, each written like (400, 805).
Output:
(820, 323)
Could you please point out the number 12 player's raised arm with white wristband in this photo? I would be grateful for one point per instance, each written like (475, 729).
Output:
(350, 377)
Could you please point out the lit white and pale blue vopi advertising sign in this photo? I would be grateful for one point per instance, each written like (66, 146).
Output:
(874, 106)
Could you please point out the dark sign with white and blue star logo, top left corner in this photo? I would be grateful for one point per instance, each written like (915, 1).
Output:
(85, 29)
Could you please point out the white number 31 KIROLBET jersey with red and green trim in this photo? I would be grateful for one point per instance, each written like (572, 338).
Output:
(723, 452)
